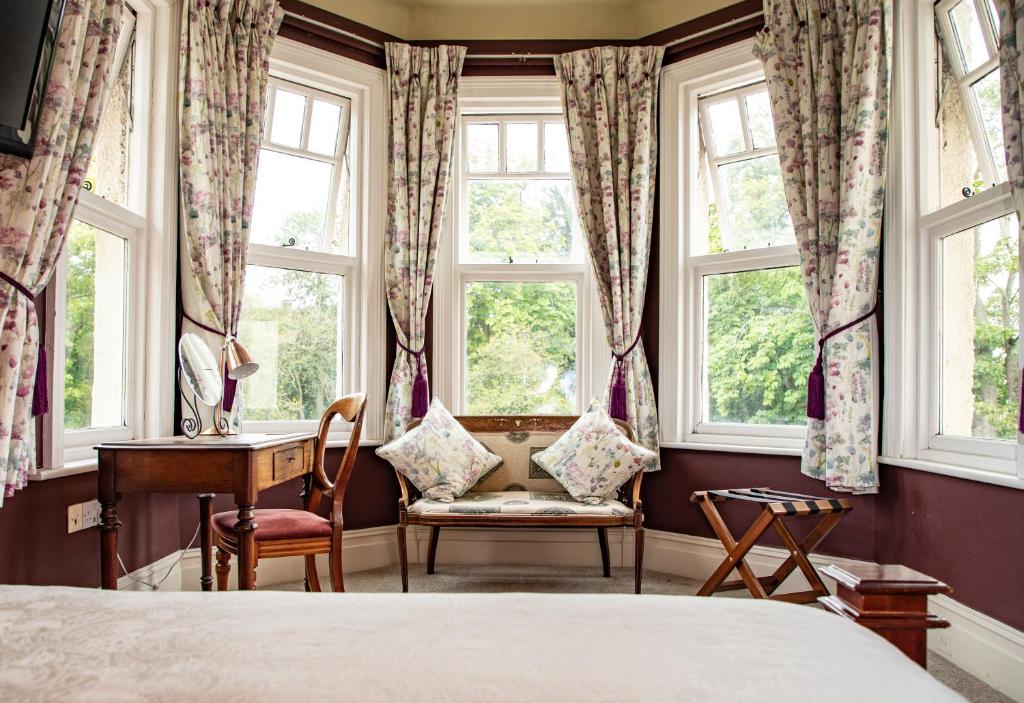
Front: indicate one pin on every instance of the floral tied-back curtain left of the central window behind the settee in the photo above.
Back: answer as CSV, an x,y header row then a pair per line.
x,y
423,85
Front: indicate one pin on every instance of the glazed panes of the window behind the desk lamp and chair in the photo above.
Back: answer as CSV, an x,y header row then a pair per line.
x,y
294,315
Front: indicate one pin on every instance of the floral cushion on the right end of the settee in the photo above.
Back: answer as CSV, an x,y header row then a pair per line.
x,y
594,458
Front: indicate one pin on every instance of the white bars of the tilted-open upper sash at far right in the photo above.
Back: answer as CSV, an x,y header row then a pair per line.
x,y
966,79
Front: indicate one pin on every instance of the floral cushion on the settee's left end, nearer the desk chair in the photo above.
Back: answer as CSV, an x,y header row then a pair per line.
x,y
440,457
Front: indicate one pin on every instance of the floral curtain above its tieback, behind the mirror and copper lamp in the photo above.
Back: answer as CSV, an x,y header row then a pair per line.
x,y
224,71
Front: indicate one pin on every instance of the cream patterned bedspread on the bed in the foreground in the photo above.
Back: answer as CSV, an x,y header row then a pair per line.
x,y
83,645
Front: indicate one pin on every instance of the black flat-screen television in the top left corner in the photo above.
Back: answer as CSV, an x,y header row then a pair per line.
x,y
28,35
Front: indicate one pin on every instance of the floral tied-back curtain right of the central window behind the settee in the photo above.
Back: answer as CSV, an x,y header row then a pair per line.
x,y
610,96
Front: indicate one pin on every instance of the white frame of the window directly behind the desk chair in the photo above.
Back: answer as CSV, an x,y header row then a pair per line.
x,y
326,76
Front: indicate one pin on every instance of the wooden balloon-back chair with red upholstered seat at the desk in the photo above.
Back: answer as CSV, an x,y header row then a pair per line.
x,y
303,533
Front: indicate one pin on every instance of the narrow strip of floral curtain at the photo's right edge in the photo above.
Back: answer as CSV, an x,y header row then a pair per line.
x,y
1012,78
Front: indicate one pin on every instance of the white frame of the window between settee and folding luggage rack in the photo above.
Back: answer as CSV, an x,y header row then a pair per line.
x,y
684,266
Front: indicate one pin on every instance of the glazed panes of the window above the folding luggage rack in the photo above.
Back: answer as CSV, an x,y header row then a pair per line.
x,y
757,339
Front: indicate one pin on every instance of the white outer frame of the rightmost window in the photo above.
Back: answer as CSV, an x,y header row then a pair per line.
x,y
914,230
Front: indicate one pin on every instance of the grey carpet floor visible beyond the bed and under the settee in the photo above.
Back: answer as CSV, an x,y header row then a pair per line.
x,y
499,579
